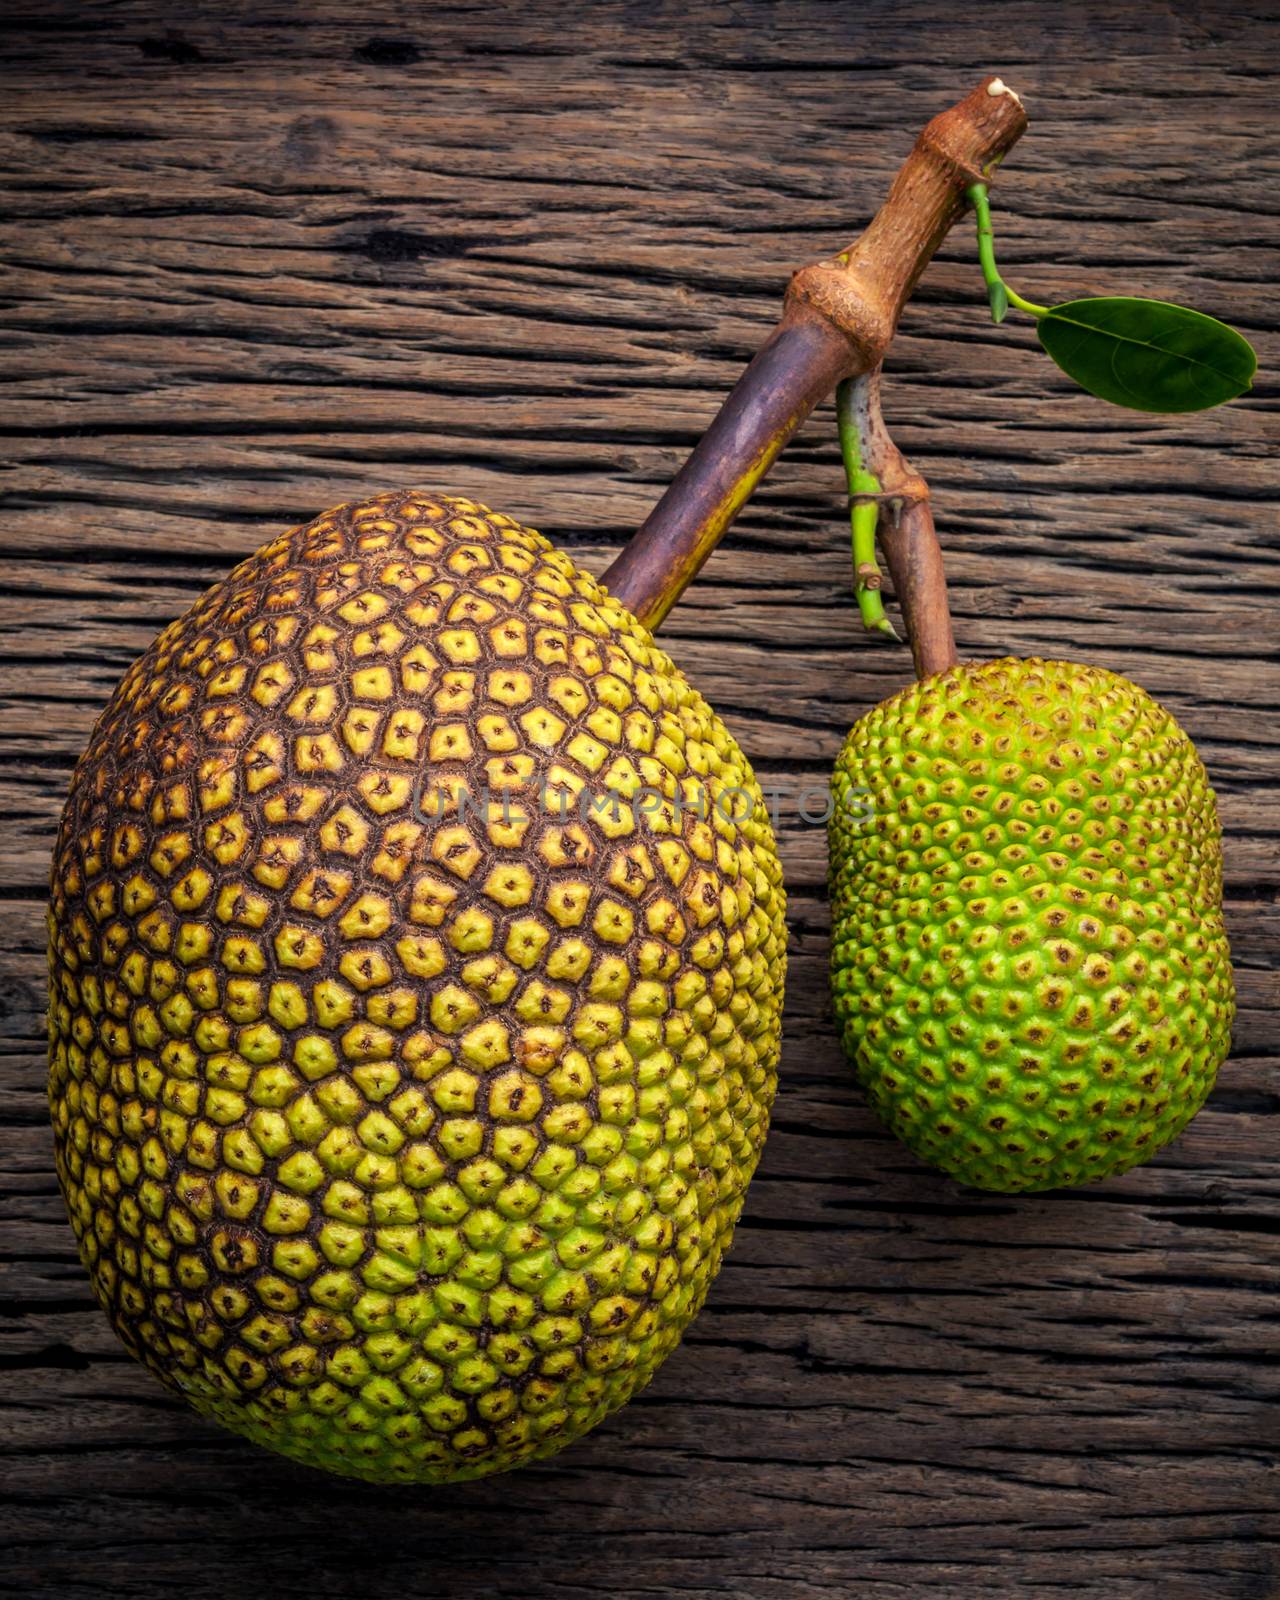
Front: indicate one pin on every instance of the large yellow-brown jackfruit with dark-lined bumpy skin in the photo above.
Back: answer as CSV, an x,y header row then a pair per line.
x,y
399,1140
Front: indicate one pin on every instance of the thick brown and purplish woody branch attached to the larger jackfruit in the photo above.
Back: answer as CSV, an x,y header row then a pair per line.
x,y
838,322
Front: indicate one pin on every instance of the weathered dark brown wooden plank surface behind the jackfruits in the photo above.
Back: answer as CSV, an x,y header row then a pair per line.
x,y
263,258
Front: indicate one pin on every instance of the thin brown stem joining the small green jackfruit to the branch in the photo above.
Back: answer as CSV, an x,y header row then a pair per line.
x,y
908,537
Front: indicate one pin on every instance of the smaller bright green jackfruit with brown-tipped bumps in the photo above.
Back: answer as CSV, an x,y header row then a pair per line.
x,y
1030,967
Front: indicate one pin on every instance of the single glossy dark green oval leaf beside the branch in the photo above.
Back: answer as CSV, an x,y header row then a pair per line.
x,y
1146,354
